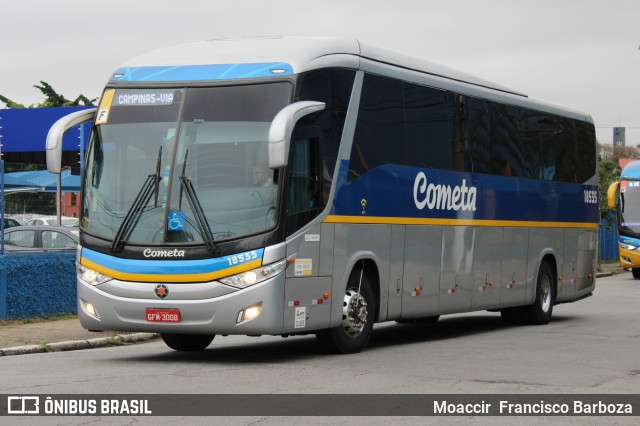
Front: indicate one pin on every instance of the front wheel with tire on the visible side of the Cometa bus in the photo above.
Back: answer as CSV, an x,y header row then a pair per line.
x,y
358,315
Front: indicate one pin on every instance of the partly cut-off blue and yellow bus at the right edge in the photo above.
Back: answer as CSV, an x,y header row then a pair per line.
x,y
624,197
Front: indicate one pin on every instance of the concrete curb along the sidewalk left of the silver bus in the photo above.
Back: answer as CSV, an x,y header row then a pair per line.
x,y
72,345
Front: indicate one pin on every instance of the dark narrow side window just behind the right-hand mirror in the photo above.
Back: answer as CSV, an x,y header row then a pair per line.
x,y
304,196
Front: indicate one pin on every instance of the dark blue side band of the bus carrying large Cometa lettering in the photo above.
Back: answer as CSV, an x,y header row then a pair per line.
x,y
411,192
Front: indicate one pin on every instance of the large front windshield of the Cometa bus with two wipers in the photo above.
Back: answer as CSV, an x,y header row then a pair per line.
x,y
175,165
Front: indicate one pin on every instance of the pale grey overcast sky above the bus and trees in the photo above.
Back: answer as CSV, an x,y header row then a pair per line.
x,y
583,54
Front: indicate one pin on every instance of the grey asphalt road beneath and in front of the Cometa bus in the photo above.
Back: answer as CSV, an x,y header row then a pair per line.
x,y
590,347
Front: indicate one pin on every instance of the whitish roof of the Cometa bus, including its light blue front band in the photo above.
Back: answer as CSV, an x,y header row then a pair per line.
x,y
255,57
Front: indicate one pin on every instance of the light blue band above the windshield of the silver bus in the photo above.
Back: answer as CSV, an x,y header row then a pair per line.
x,y
202,72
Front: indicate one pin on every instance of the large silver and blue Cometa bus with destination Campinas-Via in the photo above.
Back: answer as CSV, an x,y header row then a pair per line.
x,y
292,186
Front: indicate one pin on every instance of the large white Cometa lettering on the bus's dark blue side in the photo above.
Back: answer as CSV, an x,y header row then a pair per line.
x,y
443,197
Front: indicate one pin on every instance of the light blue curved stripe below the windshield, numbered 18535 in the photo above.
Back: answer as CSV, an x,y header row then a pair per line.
x,y
168,267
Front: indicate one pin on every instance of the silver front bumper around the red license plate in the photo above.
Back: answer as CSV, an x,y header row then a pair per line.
x,y
215,314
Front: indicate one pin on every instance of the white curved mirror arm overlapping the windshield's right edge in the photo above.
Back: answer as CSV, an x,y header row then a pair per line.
x,y
282,128
